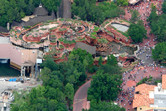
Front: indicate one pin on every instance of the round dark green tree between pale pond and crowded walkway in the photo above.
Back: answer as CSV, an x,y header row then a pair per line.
x,y
137,32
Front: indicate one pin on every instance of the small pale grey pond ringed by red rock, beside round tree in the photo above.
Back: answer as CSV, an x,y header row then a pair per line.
x,y
120,27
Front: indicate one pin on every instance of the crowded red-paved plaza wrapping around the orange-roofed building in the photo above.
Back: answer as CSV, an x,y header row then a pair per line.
x,y
139,72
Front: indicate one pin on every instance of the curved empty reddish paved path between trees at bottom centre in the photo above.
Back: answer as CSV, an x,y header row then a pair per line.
x,y
80,97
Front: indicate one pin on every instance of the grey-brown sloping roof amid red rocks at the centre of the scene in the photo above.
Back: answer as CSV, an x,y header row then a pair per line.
x,y
88,48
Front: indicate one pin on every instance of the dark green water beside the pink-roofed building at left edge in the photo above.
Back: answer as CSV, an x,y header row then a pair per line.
x,y
6,70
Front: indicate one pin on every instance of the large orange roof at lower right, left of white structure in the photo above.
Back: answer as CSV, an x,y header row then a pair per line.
x,y
141,96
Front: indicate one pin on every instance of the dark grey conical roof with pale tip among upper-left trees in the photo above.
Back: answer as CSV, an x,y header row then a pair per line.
x,y
40,11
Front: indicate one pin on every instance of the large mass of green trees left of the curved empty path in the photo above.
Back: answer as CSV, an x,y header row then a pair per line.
x,y
60,81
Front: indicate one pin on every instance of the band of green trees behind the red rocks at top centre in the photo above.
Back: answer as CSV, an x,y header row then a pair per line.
x,y
88,10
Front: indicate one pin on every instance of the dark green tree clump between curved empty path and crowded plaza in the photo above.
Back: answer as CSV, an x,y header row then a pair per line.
x,y
105,85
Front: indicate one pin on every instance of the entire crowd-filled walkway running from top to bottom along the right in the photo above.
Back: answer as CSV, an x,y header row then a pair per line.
x,y
146,66
